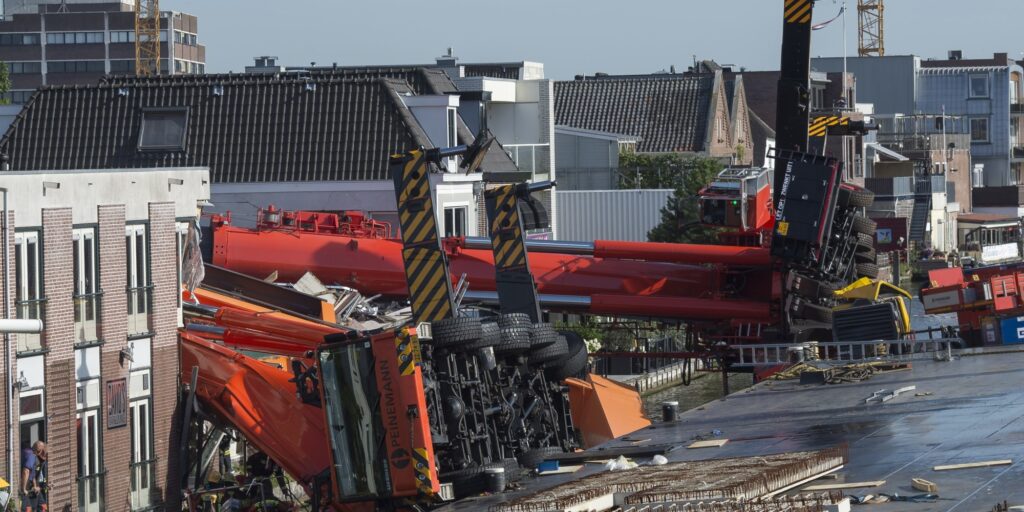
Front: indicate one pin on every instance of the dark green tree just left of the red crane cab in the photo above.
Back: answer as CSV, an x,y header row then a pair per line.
x,y
680,223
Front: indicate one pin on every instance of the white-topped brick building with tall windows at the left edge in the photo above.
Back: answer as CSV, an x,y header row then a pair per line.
x,y
96,255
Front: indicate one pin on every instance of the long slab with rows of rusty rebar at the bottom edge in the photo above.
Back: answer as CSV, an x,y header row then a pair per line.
x,y
680,484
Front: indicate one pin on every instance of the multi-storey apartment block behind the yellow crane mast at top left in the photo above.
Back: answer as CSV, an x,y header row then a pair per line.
x,y
53,42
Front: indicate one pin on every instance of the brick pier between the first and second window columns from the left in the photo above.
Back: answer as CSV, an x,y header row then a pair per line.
x,y
60,373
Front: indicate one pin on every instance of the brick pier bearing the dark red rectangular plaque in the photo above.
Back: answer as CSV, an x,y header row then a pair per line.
x,y
114,332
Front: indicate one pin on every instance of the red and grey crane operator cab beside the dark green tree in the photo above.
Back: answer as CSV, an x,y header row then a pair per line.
x,y
738,199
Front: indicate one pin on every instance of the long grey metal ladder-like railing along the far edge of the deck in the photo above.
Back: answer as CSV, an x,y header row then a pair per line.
x,y
845,352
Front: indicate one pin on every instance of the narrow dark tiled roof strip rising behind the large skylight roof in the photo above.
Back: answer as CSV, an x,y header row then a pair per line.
x,y
423,80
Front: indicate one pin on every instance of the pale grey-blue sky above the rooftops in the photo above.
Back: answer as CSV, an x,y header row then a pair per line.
x,y
578,36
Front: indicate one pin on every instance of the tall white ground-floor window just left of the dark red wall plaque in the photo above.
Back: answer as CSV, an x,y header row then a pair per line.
x,y
91,484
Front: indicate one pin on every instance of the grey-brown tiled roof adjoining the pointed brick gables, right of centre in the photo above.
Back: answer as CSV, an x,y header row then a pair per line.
x,y
669,114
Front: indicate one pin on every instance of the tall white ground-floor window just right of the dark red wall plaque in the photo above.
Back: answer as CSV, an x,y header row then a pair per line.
x,y
143,463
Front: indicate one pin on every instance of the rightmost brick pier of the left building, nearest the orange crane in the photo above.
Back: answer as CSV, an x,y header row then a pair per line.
x,y
165,352
